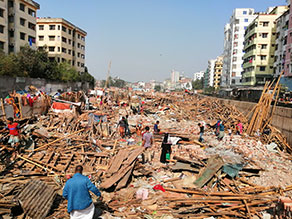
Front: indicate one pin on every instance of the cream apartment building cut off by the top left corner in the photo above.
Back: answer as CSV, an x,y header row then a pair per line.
x,y
17,24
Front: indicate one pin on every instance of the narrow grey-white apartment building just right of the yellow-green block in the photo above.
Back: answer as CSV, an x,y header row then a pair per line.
x,y
282,24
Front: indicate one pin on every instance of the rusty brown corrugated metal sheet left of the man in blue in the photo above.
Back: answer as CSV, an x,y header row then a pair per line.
x,y
36,199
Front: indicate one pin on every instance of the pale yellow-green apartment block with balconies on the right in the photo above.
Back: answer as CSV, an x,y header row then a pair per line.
x,y
260,39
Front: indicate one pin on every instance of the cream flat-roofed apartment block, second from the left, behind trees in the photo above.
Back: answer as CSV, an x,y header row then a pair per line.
x,y
64,41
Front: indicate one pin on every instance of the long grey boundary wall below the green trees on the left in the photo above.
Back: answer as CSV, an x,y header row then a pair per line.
x,y
8,84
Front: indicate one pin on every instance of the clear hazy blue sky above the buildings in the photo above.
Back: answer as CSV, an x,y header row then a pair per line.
x,y
146,39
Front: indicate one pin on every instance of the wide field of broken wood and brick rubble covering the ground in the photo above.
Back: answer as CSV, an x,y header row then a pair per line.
x,y
241,176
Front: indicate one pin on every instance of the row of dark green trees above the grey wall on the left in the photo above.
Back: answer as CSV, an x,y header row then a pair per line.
x,y
36,64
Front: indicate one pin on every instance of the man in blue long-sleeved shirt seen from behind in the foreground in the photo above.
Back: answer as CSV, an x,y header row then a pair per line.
x,y
76,191
